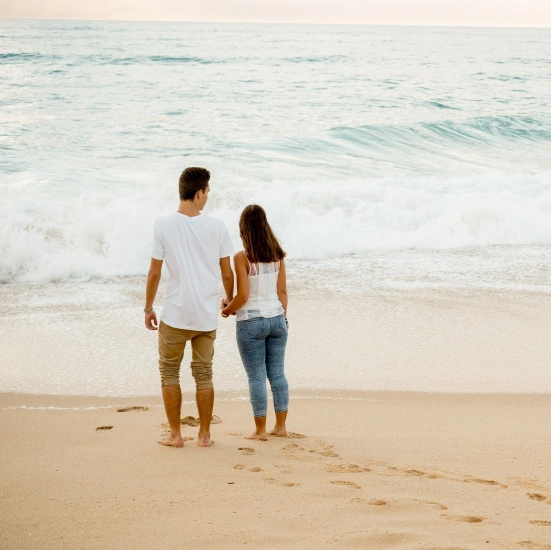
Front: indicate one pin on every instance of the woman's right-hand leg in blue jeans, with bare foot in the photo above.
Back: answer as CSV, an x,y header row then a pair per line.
x,y
275,363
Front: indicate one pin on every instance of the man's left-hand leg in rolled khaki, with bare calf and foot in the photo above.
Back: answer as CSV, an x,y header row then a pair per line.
x,y
172,342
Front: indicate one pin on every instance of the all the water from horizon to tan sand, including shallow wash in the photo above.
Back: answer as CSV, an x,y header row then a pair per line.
x,y
387,159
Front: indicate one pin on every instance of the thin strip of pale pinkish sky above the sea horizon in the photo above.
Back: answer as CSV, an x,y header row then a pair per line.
x,y
500,13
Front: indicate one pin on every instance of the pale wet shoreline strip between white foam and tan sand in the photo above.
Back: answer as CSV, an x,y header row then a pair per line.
x,y
433,342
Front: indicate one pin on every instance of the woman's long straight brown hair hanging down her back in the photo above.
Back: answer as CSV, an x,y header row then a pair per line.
x,y
259,241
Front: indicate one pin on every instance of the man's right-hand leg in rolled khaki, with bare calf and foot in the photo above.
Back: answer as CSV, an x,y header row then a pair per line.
x,y
202,347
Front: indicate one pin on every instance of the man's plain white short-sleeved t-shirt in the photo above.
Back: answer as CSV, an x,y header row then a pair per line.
x,y
191,248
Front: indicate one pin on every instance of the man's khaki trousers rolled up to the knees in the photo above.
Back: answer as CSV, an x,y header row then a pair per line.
x,y
172,342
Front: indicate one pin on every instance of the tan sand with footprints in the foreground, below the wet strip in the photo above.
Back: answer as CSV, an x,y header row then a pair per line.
x,y
364,470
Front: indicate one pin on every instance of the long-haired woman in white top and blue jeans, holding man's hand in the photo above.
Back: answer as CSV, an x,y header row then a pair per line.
x,y
261,308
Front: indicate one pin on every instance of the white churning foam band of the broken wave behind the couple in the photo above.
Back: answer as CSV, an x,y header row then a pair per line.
x,y
106,236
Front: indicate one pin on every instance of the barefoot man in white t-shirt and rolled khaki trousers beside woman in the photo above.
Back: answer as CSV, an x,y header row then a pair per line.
x,y
194,247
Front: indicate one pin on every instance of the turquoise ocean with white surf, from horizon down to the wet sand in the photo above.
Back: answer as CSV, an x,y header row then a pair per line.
x,y
387,158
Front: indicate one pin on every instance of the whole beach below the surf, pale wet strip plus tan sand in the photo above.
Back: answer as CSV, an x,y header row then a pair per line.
x,y
375,469
